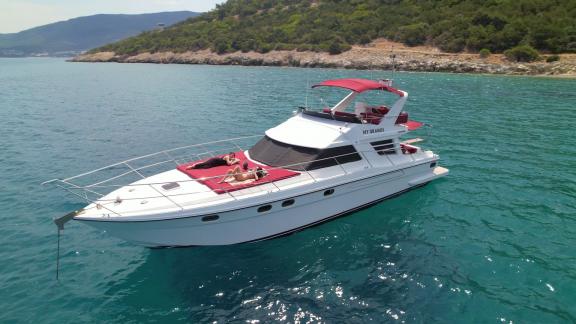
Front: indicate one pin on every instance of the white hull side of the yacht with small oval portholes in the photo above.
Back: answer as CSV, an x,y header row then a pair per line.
x,y
247,224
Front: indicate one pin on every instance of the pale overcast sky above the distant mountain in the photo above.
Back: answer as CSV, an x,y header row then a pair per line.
x,y
18,15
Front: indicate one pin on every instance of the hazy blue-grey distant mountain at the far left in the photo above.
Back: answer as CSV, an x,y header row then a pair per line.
x,y
80,34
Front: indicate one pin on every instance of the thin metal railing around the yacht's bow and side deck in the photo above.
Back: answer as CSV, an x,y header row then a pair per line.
x,y
93,191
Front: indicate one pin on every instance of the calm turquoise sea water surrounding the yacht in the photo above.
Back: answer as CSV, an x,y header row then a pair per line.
x,y
493,242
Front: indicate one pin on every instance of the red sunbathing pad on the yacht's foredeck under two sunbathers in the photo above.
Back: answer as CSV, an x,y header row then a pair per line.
x,y
215,174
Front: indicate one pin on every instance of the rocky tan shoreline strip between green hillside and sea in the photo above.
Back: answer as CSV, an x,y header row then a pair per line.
x,y
376,55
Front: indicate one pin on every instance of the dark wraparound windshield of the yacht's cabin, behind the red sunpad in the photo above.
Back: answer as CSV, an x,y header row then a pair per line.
x,y
278,154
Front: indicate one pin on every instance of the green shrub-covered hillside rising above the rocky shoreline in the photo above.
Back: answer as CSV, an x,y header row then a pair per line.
x,y
333,25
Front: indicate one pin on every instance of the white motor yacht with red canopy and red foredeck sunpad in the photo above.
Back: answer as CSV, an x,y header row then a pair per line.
x,y
319,164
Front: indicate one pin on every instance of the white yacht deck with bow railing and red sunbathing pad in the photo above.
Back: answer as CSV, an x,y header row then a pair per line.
x,y
175,191
